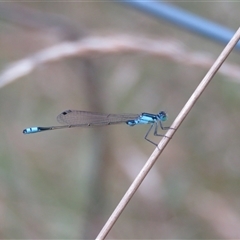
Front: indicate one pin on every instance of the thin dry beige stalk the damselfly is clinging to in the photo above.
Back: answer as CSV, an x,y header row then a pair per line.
x,y
163,143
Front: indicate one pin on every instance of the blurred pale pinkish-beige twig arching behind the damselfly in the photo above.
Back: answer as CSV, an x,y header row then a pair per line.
x,y
88,46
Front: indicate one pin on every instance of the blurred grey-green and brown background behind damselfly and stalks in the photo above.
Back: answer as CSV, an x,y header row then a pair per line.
x,y
66,183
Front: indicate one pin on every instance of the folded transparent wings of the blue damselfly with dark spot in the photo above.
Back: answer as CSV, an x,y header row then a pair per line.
x,y
84,118
